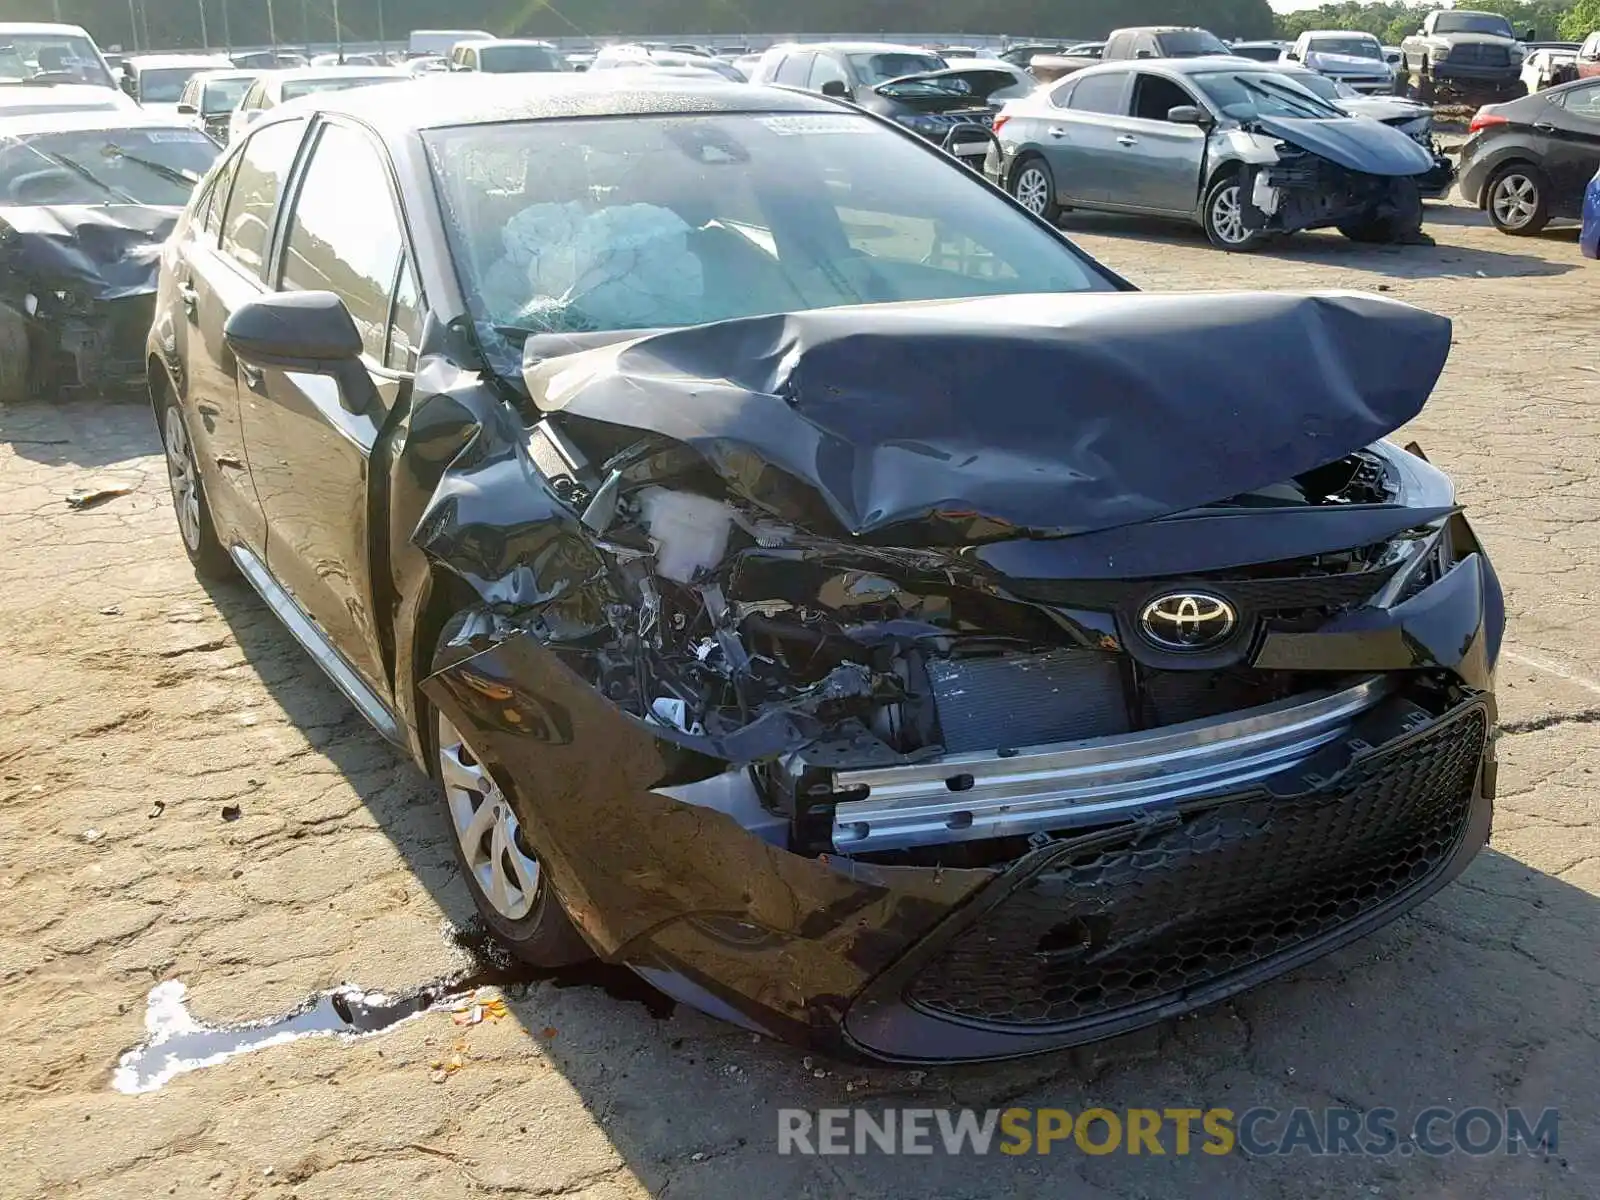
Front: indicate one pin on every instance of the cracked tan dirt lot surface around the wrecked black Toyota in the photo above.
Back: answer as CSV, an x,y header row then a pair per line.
x,y
137,708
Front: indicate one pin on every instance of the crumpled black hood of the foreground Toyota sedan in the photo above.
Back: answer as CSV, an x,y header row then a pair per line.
x,y
986,418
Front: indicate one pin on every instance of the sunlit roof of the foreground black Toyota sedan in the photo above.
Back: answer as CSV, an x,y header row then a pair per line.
x,y
476,98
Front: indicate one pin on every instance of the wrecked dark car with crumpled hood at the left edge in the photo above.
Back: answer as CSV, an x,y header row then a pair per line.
x,y
87,199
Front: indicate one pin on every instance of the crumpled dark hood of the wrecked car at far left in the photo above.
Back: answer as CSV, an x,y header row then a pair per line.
x,y
100,252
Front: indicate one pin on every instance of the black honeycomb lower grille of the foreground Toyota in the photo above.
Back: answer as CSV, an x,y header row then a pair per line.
x,y
1226,889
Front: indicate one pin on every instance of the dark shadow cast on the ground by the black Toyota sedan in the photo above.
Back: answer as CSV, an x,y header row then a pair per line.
x,y
1484,998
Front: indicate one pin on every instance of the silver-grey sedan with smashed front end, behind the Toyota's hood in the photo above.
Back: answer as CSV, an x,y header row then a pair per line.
x,y
1238,148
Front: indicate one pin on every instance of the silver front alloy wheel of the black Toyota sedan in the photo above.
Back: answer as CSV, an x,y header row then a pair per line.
x,y
492,842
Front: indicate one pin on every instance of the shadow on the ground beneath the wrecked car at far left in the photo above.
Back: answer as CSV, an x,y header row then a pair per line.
x,y
82,431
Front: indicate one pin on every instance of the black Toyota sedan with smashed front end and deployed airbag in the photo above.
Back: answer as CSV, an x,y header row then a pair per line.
x,y
815,583
